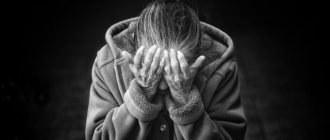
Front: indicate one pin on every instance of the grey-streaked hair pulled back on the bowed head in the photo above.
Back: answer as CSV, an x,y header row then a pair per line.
x,y
169,24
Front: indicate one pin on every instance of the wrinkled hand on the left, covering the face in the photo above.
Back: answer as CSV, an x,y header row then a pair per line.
x,y
149,72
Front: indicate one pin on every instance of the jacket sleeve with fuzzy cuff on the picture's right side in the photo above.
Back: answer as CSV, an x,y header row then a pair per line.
x,y
219,117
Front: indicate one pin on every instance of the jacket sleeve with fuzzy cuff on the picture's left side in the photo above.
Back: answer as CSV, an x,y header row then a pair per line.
x,y
110,118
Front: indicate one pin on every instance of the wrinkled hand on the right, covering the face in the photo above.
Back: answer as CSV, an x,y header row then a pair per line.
x,y
178,75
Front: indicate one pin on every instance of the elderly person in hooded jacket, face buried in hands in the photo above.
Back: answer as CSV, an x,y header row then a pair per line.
x,y
165,75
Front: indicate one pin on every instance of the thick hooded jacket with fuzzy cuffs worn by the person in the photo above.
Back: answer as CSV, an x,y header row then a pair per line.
x,y
119,110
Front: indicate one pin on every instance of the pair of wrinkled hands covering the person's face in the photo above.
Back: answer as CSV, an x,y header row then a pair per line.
x,y
178,75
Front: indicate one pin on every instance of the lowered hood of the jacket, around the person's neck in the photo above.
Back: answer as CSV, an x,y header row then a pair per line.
x,y
216,45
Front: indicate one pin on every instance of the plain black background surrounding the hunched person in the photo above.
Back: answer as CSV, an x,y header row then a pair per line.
x,y
49,48
